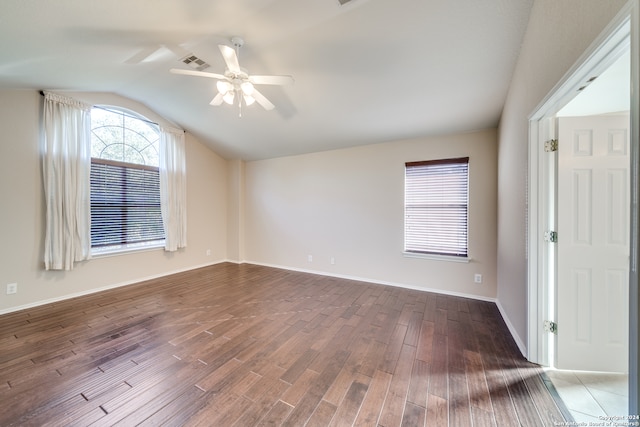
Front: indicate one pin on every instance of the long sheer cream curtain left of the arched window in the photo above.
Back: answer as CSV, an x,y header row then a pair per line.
x,y
66,169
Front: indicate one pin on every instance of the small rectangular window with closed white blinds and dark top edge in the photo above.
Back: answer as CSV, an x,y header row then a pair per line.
x,y
436,207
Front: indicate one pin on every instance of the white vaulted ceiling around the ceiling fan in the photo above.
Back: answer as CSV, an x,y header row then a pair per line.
x,y
366,72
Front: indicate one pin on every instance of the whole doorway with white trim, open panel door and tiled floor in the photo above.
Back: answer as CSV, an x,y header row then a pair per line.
x,y
582,235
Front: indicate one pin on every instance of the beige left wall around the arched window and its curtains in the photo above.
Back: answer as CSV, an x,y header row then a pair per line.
x,y
22,214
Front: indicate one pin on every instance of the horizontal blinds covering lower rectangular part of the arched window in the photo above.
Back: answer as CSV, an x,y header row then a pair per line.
x,y
125,204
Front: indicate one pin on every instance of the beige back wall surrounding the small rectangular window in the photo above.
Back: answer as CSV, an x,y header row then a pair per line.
x,y
348,204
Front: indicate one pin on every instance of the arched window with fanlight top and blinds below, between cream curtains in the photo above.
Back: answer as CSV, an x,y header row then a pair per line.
x,y
125,184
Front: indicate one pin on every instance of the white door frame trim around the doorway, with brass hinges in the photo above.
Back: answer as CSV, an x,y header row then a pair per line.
x,y
621,33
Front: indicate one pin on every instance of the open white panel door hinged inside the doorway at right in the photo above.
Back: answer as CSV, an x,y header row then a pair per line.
x,y
593,243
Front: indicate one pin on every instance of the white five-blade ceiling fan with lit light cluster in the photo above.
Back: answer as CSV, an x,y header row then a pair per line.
x,y
236,84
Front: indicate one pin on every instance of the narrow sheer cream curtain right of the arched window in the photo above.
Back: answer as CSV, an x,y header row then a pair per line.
x,y
173,188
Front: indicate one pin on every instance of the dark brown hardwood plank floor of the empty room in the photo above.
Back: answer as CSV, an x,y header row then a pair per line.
x,y
248,345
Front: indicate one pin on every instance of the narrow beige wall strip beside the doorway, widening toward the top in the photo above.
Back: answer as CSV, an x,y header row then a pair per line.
x,y
557,34
